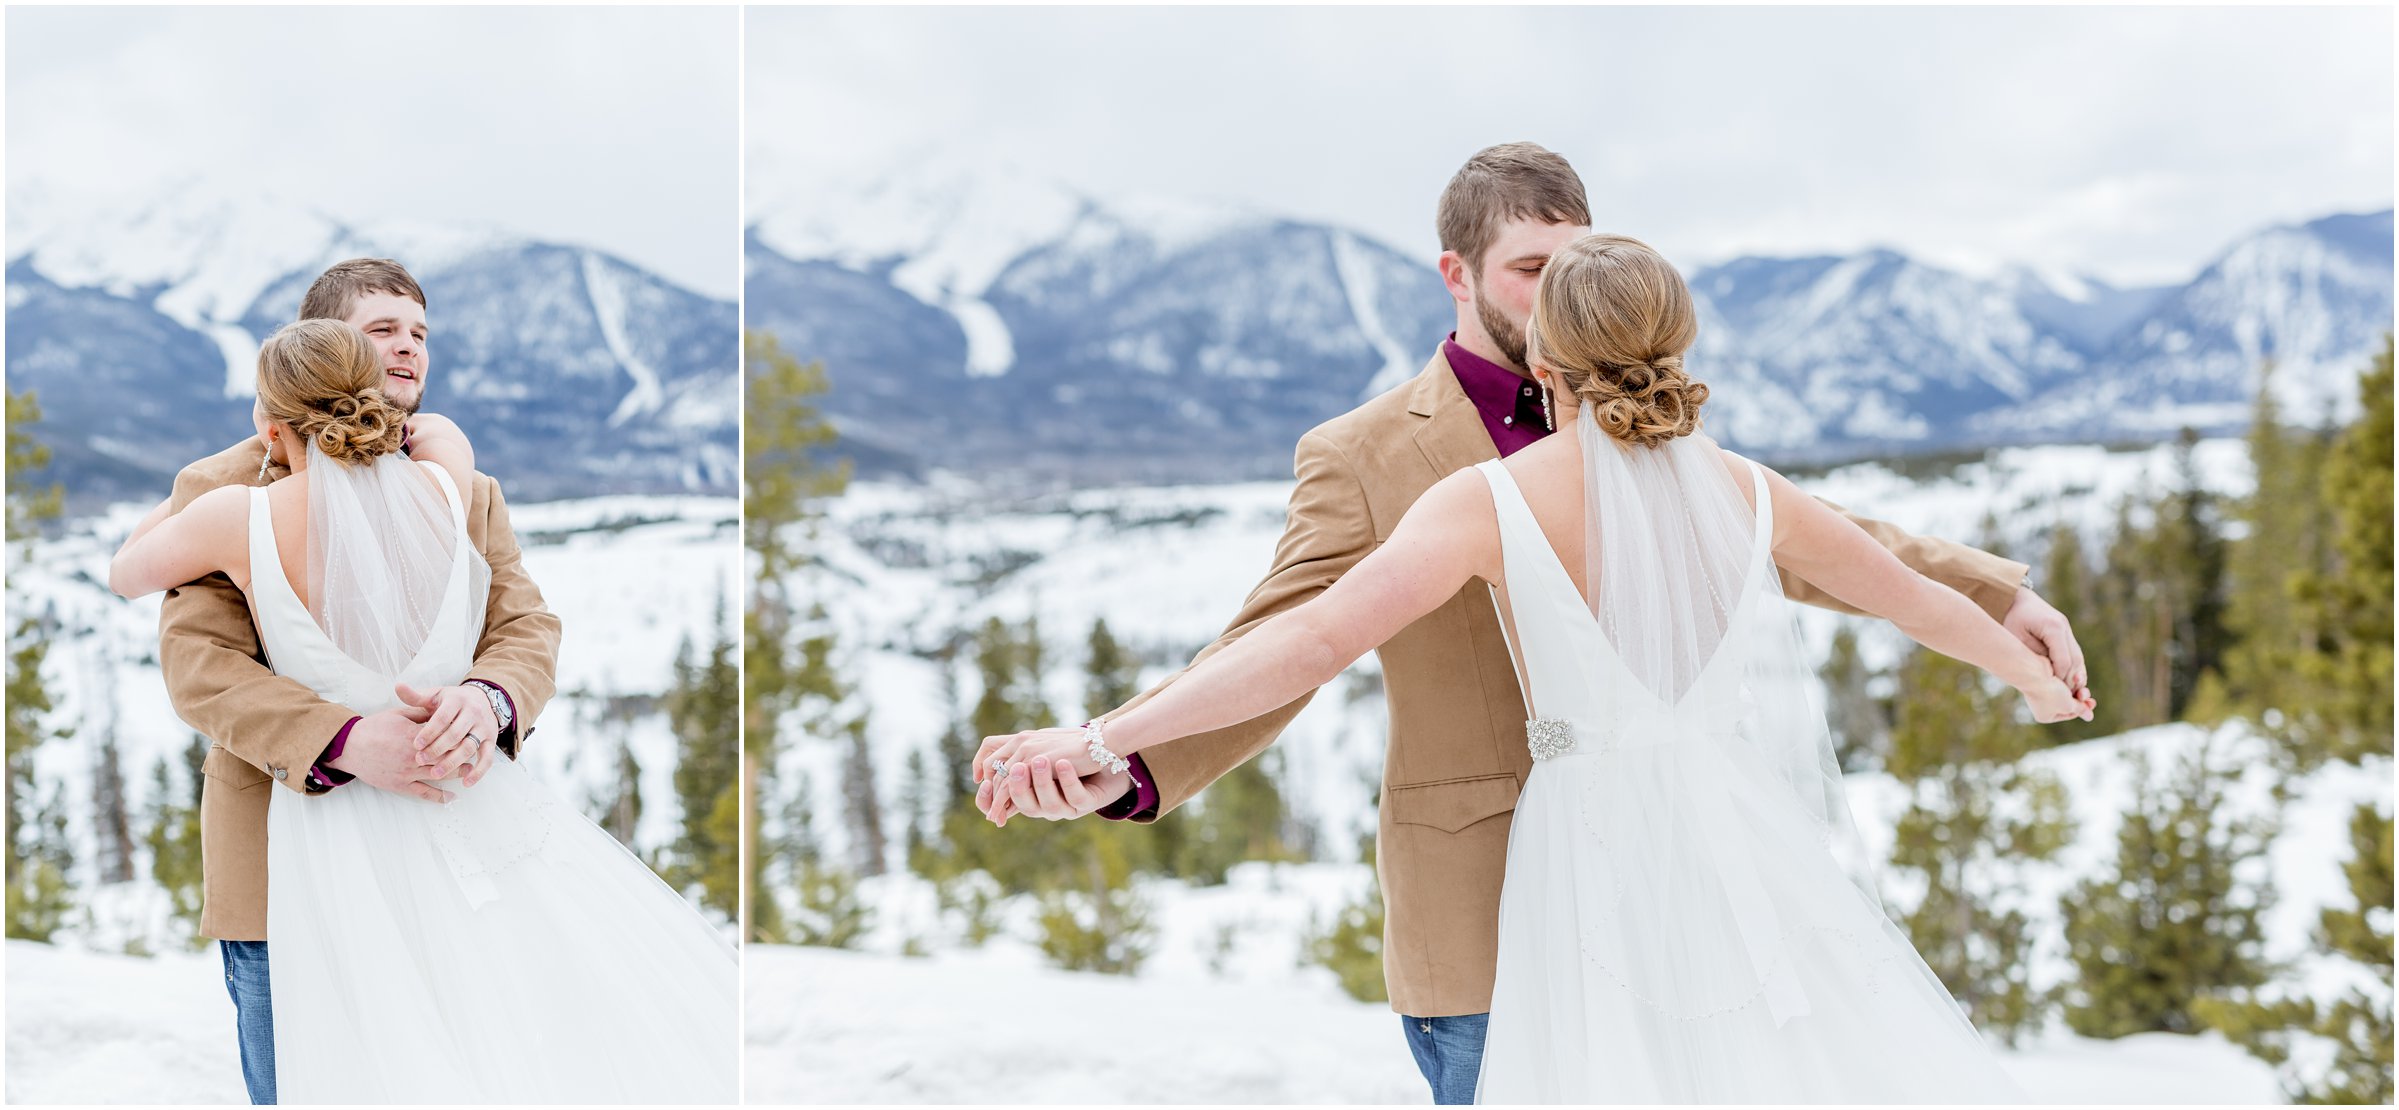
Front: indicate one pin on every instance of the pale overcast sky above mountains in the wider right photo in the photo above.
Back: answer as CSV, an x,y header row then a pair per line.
x,y
2124,143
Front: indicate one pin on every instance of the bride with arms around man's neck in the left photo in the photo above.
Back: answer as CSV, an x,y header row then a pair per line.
x,y
476,941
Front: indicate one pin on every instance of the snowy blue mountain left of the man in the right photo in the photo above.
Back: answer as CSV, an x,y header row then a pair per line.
x,y
1045,330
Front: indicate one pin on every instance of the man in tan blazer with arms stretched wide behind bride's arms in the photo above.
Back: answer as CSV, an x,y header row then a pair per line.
x,y
1457,752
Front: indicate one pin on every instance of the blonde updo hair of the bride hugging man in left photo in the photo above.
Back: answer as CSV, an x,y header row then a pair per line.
x,y
323,380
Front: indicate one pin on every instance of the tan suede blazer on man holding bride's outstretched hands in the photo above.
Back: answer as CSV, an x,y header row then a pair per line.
x,y
1457,747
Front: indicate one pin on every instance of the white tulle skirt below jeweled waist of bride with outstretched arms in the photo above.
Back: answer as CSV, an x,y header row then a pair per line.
x,y
1676,931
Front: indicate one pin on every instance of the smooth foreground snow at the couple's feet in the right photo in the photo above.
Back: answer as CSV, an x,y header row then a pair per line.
x,y
978,1027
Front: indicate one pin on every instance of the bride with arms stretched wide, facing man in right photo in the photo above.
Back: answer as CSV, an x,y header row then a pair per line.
x,y
1688,915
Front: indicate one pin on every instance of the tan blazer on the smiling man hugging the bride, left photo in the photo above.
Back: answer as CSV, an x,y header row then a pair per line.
x,y
270,730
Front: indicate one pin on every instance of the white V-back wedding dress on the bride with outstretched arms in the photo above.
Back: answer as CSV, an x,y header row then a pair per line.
x,y
1688,915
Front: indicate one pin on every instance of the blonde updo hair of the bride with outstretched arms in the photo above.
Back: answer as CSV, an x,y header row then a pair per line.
x,y
1613,322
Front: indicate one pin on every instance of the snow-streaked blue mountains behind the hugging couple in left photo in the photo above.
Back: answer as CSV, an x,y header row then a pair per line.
x,y
138,325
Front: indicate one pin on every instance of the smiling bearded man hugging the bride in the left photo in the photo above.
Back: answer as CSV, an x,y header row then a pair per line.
x,y
275,732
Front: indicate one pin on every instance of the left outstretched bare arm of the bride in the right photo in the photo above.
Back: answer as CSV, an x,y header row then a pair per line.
x,y
1445,541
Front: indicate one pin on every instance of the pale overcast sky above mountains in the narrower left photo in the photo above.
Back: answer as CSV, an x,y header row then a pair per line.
x,y
613,128
